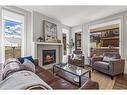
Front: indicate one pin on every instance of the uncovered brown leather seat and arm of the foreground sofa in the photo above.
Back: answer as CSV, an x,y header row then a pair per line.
x,y
58,83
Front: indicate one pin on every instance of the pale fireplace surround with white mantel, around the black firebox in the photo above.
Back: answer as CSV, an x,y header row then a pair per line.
x,y
40,46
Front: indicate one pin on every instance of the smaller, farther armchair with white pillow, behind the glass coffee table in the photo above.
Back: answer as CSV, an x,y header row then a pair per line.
x,y
76,58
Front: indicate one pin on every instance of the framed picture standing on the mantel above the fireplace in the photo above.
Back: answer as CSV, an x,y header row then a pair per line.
x,y
50,31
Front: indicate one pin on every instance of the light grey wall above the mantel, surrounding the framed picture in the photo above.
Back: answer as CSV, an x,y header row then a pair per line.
x,y
38,25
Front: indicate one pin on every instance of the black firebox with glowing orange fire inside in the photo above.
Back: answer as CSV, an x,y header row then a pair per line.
x,y
49,56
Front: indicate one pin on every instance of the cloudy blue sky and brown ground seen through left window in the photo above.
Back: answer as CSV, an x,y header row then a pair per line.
x,y
12,38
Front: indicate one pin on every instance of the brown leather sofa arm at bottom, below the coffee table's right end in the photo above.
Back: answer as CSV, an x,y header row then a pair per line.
x,y
90,85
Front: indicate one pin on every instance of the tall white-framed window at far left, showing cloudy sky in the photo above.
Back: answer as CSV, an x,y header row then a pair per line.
x,y
12,34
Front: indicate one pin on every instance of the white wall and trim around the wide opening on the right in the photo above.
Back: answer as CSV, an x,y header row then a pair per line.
x,y
123,17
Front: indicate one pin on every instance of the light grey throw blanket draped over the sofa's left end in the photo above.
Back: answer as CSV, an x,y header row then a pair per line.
x,y
18,76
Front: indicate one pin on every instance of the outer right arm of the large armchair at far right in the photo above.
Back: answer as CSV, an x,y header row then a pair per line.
x,y
117,66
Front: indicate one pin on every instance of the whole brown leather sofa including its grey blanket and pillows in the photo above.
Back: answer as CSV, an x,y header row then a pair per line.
x,y
30,76
